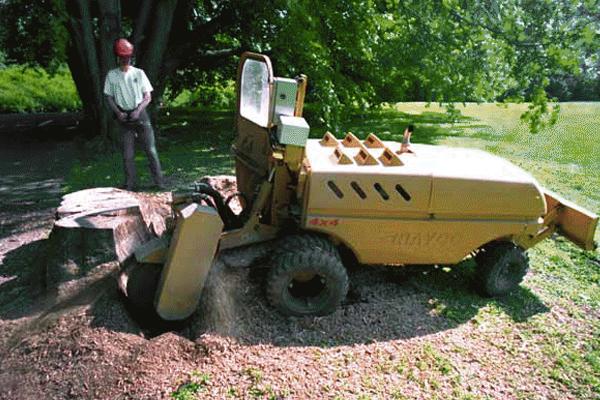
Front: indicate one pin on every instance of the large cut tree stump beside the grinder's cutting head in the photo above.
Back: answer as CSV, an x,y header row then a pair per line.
x,y
101,227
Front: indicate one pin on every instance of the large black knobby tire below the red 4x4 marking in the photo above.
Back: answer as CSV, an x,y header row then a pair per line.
x,y
312,267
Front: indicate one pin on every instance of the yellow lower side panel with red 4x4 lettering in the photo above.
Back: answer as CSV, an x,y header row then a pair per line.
x,y
426,241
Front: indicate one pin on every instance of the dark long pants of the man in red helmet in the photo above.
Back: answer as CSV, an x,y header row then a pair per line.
x,y
142,128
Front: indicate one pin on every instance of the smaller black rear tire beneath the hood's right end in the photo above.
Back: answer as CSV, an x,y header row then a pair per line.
x,y
501,267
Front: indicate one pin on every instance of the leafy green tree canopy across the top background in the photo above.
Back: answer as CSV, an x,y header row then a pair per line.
x,y
357,53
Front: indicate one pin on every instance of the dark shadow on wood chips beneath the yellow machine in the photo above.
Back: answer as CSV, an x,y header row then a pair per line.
x,y
384,303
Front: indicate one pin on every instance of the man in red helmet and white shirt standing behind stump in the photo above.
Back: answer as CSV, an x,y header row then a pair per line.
x,y
127,90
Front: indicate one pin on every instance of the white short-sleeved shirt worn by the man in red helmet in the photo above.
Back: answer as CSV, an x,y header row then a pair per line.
x,y
127,88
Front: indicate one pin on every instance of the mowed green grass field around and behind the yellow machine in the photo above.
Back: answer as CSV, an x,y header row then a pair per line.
x,y
541,342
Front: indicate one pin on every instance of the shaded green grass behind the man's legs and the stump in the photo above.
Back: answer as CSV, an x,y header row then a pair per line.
x,y
190,144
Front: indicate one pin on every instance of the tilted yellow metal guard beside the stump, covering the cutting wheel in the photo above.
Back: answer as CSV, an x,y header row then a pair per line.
x,y
190,257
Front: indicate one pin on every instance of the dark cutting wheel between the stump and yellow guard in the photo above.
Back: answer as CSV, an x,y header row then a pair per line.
x,y
142,283
